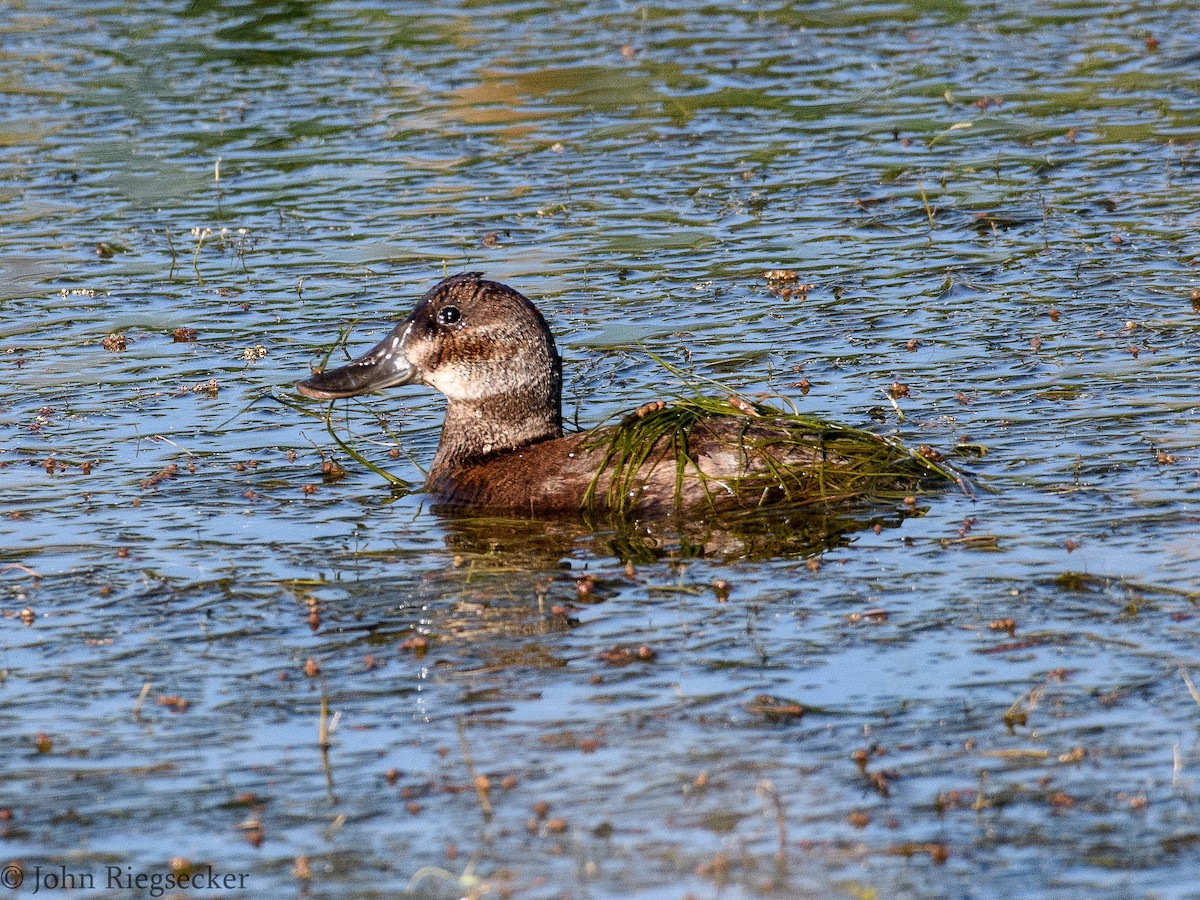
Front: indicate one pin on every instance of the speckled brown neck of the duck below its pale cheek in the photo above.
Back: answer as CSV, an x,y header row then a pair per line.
x,y
476,430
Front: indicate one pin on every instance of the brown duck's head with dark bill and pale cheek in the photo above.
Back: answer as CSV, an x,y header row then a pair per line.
x,y
479,343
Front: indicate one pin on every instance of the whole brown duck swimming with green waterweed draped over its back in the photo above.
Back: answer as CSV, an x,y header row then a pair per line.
x,y
489,351
